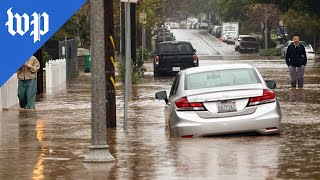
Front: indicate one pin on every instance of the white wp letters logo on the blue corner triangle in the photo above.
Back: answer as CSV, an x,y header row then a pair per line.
x,y
39,24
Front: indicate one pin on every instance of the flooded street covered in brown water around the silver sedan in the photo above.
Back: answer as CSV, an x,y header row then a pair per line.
x,y
62,123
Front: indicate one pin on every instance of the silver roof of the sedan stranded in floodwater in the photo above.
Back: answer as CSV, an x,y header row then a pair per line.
x,y
217,67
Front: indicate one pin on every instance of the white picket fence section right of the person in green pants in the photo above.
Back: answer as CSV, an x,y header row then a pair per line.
x,y
55,74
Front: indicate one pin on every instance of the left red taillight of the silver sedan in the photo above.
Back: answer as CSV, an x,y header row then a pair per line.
x,y
183,104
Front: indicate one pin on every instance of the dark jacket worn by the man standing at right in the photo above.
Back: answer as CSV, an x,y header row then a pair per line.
x,y
296,55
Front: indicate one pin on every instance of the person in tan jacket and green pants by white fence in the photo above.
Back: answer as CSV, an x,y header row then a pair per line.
x,y
27,84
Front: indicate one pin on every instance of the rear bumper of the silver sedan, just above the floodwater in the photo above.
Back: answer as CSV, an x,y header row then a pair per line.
x,y
265,120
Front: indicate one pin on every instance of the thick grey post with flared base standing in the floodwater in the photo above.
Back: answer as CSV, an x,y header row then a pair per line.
x,y
99,150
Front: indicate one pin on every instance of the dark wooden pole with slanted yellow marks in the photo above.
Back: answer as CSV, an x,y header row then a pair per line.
x,y
110,64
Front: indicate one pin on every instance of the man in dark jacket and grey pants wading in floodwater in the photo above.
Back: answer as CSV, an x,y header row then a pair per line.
x,y
296,60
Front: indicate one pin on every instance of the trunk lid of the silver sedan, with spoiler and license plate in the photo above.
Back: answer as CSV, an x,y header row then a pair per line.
x,y
225,101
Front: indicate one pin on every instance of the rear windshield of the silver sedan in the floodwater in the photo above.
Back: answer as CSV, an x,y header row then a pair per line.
x,y
219,78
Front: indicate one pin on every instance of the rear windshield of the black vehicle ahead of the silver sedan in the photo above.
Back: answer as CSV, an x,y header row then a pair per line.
x,y
175,48
